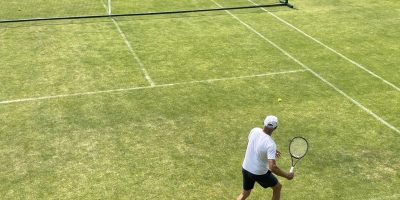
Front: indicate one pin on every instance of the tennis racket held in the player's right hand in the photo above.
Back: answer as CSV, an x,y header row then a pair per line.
x,y
298,148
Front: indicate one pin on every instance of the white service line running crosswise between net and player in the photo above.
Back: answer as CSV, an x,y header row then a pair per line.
x,y
144,87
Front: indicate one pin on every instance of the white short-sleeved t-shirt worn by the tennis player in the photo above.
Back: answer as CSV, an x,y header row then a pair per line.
x,y
260,149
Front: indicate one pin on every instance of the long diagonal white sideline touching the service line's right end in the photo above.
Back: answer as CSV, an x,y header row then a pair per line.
x,y
312,71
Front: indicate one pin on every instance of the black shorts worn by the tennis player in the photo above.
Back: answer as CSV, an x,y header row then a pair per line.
x,y
265,180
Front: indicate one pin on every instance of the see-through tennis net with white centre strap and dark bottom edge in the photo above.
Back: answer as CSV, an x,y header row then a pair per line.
x,y
35,10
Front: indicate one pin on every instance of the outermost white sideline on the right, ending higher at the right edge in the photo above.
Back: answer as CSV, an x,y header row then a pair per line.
x,y
329,48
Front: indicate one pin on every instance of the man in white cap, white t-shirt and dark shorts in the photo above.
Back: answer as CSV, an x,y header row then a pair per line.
x,y
259,163
